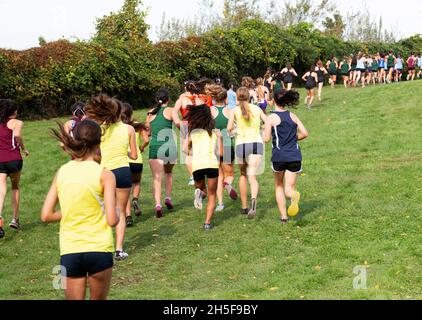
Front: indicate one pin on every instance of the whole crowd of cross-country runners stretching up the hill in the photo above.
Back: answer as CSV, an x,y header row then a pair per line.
x,y
219,130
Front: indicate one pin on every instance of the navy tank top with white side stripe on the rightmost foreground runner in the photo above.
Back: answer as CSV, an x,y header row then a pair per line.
x,y
285,146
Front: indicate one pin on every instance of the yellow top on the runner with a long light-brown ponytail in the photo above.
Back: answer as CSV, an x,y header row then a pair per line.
x,y
248,131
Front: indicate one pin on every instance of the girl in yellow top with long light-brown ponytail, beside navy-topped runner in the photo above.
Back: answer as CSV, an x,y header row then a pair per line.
x,y
249,147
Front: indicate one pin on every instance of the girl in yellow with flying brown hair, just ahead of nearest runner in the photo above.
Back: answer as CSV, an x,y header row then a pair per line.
x,y
117,139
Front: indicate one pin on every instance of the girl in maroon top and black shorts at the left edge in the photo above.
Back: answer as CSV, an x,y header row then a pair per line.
x,y
11,144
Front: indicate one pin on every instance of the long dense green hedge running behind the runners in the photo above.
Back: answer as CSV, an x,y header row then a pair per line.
x,y
45,81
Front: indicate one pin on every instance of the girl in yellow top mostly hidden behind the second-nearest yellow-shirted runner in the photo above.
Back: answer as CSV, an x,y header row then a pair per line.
x,y
136,166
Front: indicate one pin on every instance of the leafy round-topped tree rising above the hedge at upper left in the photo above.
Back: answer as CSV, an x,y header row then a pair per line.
x,y
127,25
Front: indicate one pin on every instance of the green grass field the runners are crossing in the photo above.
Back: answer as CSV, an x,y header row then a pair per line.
x,y
362,204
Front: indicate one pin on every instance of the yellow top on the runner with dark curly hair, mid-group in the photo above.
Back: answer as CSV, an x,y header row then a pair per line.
x,y
203,150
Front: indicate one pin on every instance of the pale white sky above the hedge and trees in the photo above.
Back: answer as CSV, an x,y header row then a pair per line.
x,y
23,21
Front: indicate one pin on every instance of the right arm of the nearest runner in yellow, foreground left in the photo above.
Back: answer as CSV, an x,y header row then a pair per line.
x,y
108,182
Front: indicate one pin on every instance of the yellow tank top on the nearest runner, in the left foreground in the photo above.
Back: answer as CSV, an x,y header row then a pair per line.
x,y
84,226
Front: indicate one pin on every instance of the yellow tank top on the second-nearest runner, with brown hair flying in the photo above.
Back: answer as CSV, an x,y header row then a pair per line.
x,y
114,146
